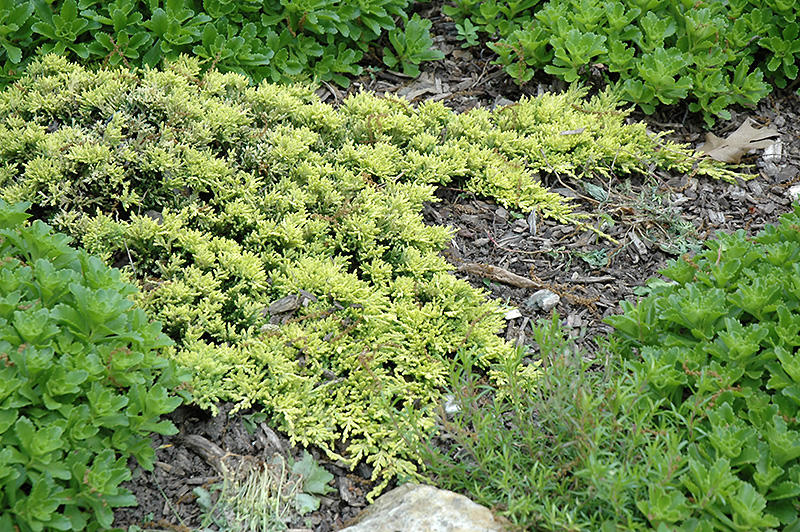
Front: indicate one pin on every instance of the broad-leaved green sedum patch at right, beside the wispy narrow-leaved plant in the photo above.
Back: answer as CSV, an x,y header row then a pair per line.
x,y
719,346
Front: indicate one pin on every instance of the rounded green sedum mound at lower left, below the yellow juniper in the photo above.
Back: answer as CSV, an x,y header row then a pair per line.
x,y
82,382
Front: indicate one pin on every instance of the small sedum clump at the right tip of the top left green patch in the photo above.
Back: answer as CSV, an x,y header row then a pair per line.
x,y
411,46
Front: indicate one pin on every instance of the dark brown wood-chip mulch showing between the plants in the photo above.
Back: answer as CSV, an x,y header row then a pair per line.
x,y
646,220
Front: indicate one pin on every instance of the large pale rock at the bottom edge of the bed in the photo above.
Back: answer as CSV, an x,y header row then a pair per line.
x,y
421,508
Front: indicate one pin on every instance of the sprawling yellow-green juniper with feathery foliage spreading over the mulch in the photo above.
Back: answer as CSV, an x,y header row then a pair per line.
x,y
220,198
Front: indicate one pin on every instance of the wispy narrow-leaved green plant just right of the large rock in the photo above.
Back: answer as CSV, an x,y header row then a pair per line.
x,y
559,444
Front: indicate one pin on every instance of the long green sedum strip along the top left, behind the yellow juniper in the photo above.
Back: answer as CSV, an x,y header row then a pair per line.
x,y
280,40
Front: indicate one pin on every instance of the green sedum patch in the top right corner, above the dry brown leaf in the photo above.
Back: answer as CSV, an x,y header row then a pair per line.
x,y
713,53
